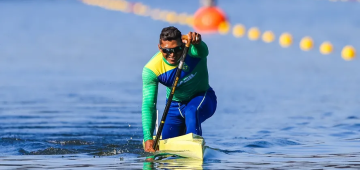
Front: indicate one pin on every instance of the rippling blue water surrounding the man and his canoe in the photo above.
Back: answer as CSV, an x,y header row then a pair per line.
x,y
70,87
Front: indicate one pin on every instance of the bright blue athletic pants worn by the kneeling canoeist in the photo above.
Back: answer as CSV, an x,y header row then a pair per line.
x,y
184,118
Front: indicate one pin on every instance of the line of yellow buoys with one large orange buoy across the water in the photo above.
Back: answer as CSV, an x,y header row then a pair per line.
x,y
217,23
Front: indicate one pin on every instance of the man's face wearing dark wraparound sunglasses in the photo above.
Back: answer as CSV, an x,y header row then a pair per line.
x,y
171,50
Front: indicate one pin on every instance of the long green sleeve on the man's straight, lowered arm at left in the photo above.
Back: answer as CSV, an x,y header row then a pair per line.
x,y
148,111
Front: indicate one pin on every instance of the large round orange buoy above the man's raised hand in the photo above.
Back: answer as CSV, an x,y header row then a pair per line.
x,y
208,19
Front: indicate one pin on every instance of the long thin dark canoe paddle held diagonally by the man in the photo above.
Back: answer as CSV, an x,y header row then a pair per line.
x,y
177,75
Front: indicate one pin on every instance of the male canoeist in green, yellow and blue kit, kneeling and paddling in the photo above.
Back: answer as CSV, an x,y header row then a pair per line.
x,y
194,100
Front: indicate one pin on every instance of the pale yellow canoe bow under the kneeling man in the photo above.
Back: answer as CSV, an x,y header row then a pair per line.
x,y
189,146
